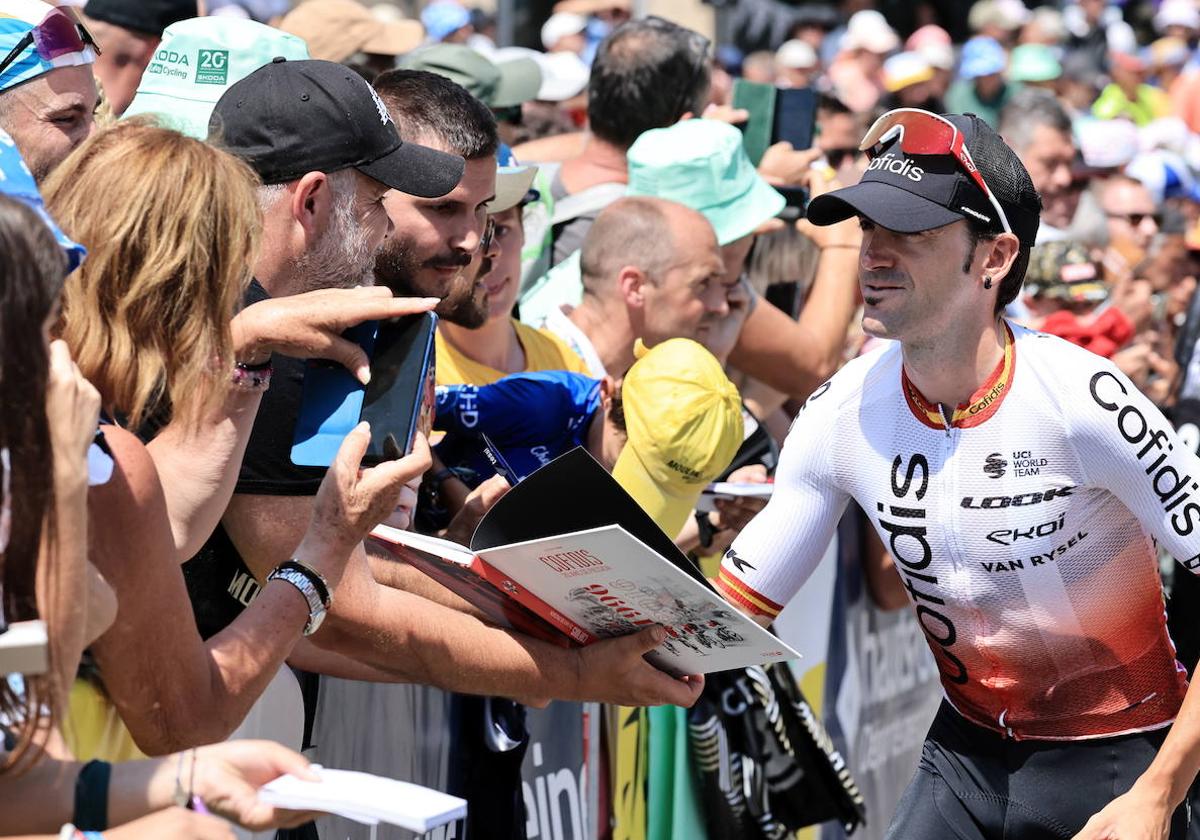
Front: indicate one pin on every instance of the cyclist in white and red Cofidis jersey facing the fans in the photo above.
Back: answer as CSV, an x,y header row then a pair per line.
x,y
1019,483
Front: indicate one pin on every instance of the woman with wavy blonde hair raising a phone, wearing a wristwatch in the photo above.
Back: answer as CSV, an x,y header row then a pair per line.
x,y
172,227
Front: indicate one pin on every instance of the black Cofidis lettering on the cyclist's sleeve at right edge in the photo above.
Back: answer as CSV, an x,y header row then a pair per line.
x,y
1169,487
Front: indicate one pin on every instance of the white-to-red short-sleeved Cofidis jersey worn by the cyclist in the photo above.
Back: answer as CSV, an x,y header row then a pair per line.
x,y
1023,527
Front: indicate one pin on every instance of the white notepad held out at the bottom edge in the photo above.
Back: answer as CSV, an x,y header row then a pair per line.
x,y
365,799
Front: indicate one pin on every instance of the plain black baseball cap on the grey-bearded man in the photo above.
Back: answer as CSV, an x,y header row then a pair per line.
x,y
291,118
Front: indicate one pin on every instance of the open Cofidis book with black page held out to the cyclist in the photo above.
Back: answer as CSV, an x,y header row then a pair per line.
x,y
571,557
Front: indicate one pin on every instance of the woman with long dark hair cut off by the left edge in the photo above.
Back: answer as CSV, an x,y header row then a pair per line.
x,y
47,427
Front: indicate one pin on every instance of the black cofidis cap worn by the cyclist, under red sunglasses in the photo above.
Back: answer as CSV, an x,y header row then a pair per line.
x,y
910,194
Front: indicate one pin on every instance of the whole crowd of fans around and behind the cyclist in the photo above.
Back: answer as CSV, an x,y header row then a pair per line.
x,y
196,200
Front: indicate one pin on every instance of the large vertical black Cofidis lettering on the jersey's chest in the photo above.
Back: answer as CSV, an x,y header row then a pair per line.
x,y
909,544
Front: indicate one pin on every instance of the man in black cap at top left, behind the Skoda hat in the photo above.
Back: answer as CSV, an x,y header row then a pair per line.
x,y
129,33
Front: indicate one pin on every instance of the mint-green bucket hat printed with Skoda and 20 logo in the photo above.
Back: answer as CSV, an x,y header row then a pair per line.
x,y
199,61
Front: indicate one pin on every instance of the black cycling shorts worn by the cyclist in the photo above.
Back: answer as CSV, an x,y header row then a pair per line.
x,y
974,784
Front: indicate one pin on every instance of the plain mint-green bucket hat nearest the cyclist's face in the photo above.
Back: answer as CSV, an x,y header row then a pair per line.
x,y
703,165
